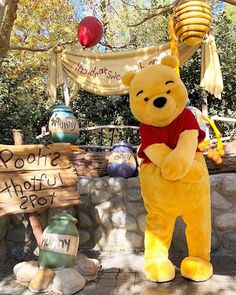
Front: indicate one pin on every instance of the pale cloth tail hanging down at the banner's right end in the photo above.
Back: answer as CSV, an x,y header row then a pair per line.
x,y
211,76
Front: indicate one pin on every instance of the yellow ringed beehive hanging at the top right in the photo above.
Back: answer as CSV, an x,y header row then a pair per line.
x,y
192,20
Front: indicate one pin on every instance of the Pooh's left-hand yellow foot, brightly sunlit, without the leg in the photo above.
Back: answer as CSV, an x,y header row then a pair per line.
x,y
159,270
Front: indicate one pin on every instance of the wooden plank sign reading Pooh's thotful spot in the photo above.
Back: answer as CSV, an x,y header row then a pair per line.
x,y
36,176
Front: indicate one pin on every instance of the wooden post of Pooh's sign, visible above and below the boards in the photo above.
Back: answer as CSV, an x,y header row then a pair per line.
x,y
18,138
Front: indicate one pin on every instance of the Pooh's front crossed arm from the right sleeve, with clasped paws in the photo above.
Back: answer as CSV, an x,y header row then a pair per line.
x,y
180,163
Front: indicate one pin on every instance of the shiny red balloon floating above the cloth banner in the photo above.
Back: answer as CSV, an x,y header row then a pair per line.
x,y
90,31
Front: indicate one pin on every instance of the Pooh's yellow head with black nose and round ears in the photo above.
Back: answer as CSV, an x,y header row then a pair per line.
x,y
157,94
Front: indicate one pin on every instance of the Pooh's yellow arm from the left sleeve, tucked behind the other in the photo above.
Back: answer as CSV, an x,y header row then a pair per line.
x,y
157,153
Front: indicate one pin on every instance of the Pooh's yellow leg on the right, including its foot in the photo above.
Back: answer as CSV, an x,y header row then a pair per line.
x,y
197,266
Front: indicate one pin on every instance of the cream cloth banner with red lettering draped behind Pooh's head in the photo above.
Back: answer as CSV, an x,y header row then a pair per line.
x,y
100,73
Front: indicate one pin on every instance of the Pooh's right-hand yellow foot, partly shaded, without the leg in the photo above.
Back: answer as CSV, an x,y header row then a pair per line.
x,y
196,269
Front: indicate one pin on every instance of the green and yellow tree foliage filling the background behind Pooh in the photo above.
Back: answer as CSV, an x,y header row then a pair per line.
x,y
24,102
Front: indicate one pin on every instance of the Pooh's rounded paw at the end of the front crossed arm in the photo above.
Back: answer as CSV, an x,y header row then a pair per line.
x,y
175,166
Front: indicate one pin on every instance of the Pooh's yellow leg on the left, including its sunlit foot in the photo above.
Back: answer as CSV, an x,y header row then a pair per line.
x,y
158,235
